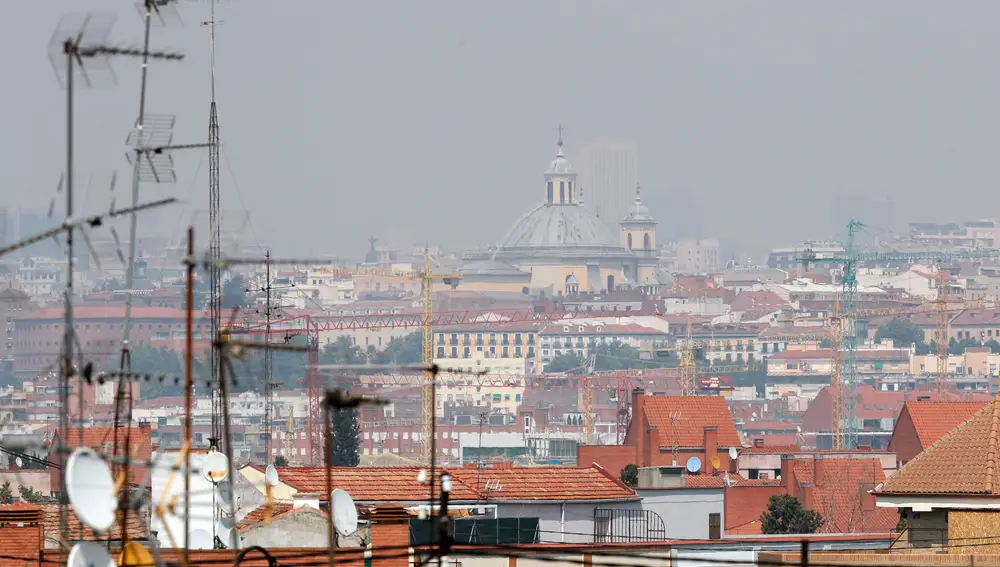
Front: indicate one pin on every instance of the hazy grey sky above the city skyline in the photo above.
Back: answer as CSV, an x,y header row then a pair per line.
x,y
435,119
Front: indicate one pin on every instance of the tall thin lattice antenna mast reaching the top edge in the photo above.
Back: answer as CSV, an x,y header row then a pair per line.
x,y
215,247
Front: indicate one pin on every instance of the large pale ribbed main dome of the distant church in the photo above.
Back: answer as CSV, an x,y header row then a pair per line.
x,y
561,226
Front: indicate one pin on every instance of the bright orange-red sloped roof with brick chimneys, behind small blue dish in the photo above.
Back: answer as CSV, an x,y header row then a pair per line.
x,y
684,418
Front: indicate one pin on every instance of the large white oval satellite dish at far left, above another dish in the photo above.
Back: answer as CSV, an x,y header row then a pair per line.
x,y
91,489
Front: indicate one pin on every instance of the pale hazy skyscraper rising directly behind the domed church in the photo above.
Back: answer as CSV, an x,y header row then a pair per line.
x,y
608,177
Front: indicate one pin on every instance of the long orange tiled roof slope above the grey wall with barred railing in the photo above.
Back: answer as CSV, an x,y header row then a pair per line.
x,y
546,483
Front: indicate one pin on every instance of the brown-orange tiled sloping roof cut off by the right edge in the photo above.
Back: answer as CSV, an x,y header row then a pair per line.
x,y
961,462
